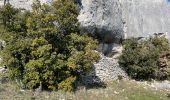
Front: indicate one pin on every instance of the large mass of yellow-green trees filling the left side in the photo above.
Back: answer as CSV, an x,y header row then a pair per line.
x,y
44,47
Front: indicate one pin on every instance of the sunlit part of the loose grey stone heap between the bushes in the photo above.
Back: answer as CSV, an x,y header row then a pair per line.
x,y
108,69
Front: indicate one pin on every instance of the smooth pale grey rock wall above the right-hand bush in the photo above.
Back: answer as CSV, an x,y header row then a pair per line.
x,y
145,17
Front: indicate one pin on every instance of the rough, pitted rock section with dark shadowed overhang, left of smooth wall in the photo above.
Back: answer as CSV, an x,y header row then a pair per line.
x,y
102,18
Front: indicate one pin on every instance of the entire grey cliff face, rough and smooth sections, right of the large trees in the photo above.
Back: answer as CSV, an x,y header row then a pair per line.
x,y
125,18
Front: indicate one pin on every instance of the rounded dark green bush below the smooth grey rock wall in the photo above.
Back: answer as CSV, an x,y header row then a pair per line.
x,y
143,59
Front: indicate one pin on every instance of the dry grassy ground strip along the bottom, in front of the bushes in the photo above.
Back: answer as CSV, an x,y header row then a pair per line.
x,y
122,90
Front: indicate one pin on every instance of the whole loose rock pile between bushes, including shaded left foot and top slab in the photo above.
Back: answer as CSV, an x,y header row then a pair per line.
x,y
106,69
